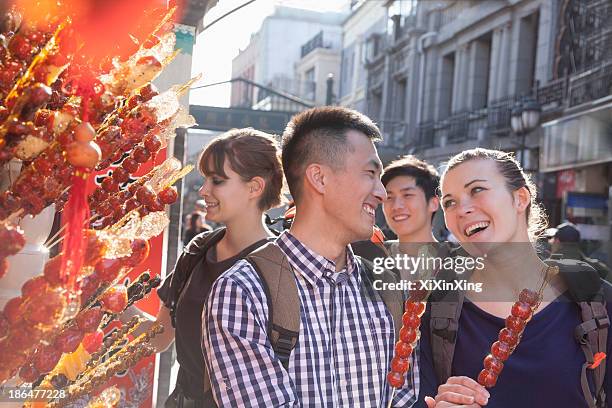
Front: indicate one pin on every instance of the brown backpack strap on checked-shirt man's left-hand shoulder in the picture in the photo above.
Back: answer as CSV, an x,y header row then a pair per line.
x,y
278,280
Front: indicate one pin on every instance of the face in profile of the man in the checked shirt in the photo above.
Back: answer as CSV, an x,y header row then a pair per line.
x,y
354,191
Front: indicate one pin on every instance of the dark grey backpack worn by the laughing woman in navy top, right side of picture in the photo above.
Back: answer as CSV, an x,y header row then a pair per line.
x,y
586,289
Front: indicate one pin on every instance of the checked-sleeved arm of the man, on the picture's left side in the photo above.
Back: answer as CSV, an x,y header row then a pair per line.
x,y
243,369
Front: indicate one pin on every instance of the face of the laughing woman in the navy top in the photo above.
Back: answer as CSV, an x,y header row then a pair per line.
x,y
479,208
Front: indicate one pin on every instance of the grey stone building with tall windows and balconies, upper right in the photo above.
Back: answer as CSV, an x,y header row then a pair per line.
x,y
444,76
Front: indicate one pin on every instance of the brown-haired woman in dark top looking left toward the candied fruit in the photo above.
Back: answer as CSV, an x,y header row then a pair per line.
x,y
242,178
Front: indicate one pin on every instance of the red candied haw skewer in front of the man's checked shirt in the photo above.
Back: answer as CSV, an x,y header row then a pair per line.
x,y
409,335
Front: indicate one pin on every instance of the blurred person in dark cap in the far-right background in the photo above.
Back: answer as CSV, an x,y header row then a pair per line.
x,y
565,241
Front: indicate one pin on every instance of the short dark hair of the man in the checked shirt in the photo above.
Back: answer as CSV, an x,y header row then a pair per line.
x,y
318,135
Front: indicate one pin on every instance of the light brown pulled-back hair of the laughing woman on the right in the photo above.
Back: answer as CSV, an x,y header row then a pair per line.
x,y
515,177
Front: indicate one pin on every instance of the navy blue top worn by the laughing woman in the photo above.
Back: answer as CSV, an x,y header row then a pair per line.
x,y
543,371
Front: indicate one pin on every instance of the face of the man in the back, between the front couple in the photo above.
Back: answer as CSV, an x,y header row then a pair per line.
x,y
406,208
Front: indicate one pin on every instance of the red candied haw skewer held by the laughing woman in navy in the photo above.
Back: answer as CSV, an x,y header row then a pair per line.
x,y
510,336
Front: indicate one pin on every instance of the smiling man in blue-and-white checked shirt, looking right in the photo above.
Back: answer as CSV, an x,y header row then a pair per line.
x,y
346,340
